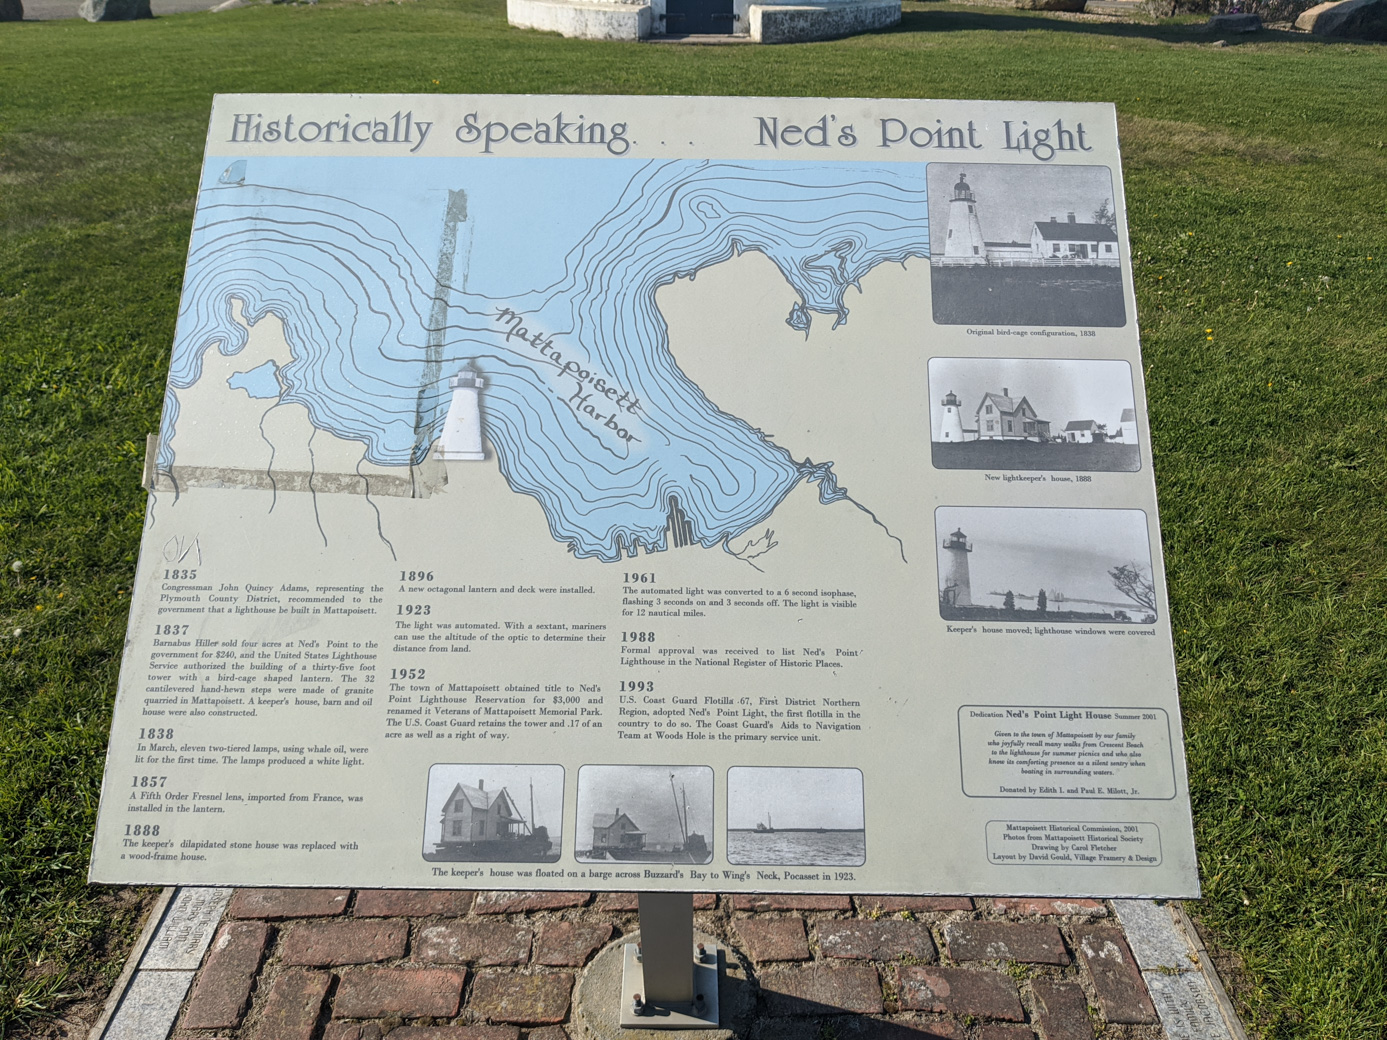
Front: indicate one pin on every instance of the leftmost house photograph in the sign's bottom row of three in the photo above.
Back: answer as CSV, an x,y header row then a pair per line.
x,y
485,813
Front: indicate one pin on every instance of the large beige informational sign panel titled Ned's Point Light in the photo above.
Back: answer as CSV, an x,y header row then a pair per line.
x,y
654,493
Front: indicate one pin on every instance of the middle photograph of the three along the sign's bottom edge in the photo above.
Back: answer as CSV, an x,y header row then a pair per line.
x,y
646,815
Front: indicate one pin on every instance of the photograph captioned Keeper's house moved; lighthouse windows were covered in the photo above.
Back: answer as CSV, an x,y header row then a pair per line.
x,y
1045,566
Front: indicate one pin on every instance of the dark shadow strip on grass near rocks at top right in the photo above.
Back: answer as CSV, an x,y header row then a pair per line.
x,y
937,16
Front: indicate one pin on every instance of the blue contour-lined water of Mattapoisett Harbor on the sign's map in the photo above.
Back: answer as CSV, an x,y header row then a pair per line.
x,y
586,407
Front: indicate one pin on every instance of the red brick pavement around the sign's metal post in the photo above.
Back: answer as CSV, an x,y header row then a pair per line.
x,y
335,964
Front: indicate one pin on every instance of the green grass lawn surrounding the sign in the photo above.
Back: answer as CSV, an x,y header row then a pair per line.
x,y
1257,192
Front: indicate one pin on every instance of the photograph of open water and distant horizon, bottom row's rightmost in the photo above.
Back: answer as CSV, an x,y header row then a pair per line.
x,y
795,817
